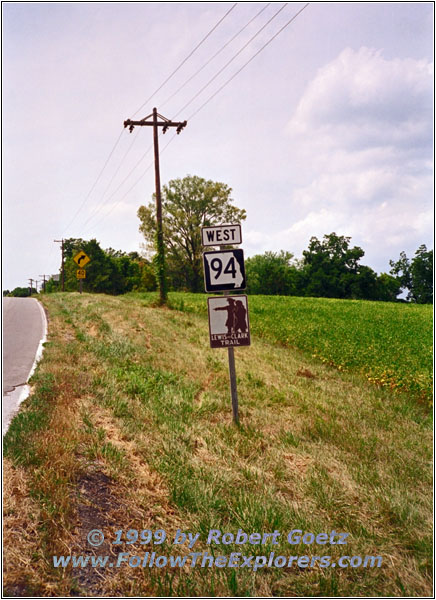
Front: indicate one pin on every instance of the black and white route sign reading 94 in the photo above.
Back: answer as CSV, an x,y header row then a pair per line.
x,y
224,270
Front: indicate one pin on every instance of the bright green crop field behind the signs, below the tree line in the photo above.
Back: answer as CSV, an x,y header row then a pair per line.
x,y
388,343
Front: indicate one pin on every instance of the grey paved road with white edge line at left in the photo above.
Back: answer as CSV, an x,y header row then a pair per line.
x,y
24,330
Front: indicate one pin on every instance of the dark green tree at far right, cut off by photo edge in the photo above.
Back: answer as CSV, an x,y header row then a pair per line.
x,y
415,275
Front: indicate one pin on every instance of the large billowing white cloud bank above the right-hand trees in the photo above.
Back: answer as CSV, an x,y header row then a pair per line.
x,y
363,138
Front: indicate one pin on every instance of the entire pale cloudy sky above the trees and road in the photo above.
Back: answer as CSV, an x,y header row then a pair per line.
x,y
319,124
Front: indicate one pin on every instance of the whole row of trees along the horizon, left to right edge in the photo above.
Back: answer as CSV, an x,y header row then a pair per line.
x,y
329,268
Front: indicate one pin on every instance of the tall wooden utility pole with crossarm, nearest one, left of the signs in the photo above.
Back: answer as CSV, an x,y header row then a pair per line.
x,y
165,124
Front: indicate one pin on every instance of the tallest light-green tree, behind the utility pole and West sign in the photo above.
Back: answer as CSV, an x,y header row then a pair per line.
x,y
187,205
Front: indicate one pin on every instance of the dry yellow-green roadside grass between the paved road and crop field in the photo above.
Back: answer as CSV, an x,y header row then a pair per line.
x,y
131,407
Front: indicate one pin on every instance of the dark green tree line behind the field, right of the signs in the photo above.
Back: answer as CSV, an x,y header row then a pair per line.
x,y
331,269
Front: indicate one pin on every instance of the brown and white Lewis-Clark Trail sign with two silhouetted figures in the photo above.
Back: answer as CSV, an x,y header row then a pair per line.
x,y
228,321
